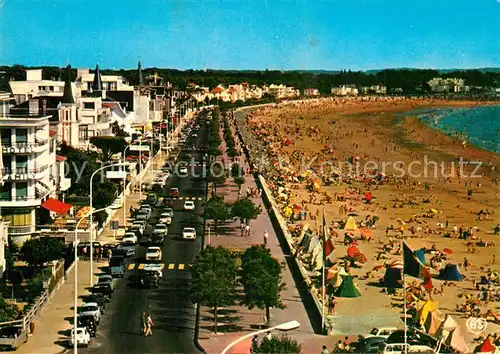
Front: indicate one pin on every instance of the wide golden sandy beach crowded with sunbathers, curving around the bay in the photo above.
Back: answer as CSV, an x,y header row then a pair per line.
x,y
425,196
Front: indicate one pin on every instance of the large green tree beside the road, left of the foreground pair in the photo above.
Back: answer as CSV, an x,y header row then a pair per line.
x,y
214,274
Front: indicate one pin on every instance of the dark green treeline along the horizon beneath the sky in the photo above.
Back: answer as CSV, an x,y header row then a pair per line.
x,y
410,80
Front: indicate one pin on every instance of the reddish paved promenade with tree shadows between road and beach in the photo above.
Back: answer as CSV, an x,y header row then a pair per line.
x,y
238,320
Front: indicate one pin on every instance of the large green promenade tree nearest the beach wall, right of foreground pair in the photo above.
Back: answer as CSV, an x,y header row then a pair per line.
x,y
261,278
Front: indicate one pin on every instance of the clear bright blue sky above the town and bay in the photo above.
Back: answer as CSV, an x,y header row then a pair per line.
x,y
238,34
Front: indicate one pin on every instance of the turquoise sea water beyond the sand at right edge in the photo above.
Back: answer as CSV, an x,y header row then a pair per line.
x,y
479,126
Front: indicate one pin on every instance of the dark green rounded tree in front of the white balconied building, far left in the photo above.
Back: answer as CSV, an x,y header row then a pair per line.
x,y
38,251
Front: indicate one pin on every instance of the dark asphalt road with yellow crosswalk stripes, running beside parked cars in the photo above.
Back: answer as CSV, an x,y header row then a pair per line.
x,y
172,312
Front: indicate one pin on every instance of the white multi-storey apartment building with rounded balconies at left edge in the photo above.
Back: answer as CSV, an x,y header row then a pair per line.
x,y
30,173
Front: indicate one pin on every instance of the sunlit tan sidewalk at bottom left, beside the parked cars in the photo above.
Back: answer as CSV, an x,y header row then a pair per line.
x,y
52,327
